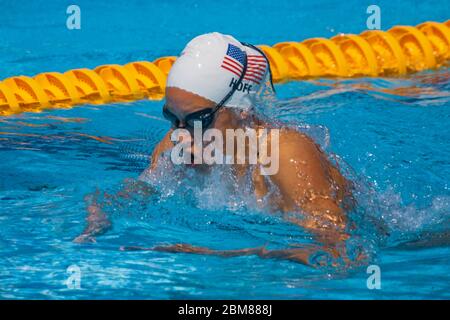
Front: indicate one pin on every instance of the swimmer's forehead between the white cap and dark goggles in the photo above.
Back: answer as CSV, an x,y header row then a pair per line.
x,y
182,103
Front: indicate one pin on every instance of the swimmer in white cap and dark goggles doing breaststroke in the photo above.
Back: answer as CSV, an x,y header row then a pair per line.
x,y
215,81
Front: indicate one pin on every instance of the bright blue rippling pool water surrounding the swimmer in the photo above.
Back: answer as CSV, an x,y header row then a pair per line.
x,y
391,135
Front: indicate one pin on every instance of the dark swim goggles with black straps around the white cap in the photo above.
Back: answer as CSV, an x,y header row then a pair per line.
x,y
206,116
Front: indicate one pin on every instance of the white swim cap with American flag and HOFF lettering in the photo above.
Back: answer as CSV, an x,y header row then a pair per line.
x,y
212,63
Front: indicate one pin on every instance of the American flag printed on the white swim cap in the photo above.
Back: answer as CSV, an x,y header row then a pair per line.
x,y
234,62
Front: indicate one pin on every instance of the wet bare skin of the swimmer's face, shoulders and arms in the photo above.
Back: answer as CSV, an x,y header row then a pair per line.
x,y
308,183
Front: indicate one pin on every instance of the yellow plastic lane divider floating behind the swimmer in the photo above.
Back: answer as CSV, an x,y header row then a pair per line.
x,y
398,51
